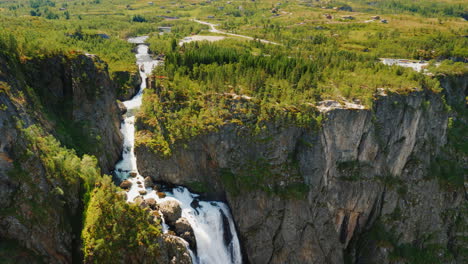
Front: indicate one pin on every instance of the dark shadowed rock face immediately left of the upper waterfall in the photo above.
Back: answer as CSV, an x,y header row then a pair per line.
x,y
82,100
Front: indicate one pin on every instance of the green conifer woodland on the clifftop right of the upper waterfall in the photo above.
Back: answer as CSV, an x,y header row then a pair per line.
x,y
203,86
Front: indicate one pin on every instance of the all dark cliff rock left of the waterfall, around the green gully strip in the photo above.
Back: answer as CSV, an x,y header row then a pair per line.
x,y
39,215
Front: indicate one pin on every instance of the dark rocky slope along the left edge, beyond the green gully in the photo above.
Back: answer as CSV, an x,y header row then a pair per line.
x,y
35,217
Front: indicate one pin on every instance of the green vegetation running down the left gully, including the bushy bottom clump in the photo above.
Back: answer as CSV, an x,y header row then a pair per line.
x,y
112,227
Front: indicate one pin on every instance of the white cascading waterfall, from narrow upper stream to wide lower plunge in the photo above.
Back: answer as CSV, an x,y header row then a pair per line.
x,y
212,223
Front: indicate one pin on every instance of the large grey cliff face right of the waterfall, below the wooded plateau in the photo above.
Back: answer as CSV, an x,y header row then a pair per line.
x,y
359,189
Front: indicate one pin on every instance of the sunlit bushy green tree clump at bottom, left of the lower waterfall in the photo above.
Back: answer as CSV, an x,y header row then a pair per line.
x,y
114,229
